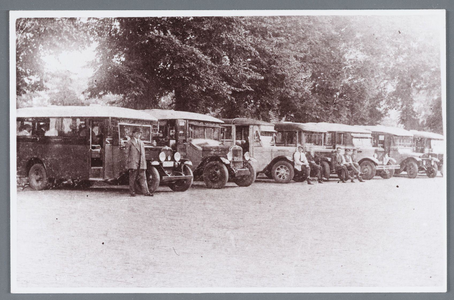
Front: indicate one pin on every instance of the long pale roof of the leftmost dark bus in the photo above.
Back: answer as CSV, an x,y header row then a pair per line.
x,y
94,111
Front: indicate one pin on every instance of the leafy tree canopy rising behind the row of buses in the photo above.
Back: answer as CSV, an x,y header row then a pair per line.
x,y
347,69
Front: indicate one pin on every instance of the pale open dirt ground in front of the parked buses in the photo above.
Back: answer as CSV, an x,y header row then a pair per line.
x,y
381,233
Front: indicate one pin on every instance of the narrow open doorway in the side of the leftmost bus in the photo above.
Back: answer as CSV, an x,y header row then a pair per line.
x,y
97,148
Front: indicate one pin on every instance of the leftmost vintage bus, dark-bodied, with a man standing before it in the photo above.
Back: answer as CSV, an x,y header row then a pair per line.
x,y
86,144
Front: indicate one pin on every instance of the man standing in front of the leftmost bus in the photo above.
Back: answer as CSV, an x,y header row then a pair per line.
x,y
137,163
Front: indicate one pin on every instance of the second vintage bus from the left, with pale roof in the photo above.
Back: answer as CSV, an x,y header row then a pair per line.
x,y
199,138
